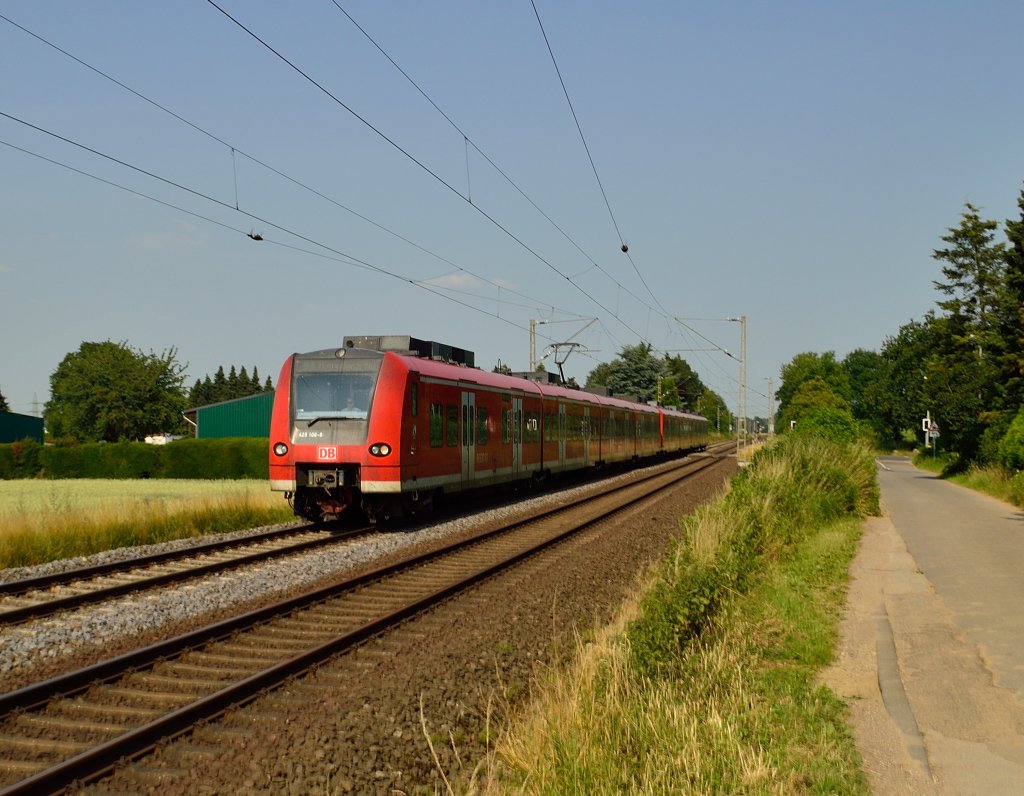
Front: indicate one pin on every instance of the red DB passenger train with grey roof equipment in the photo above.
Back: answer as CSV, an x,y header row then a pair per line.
x,y
389,424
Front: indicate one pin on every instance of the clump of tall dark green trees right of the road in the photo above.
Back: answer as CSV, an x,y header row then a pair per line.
x,y
963,364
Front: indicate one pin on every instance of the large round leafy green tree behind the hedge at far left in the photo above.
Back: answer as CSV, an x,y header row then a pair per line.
x,y
109,392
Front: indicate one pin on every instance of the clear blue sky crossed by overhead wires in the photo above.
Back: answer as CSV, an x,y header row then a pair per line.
x,y
792,162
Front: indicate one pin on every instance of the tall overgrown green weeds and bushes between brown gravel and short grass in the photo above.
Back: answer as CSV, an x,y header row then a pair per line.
x,y
798,485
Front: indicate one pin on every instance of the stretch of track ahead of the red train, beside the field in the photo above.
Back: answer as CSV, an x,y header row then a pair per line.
x,y
34,598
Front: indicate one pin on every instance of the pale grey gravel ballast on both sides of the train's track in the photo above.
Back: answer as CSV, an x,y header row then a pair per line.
x,y
94,632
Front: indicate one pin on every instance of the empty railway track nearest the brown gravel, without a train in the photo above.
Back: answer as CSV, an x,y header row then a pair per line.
x,y
79,726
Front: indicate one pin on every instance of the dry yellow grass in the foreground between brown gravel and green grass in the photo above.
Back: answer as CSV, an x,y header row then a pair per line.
x,y
599,729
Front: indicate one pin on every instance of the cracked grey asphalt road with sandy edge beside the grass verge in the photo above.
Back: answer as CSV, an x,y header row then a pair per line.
x,y
932,655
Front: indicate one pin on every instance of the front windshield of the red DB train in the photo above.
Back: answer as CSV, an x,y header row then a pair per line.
x,y
335,390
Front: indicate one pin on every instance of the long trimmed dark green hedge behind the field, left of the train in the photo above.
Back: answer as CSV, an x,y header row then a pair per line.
x,y
238,458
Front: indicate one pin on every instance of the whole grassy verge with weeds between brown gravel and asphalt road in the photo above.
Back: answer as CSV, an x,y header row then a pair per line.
x,y
709,681
